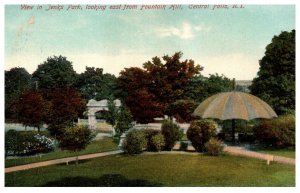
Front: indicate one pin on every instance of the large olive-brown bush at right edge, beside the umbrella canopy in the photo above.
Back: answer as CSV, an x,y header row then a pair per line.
x,y
279,132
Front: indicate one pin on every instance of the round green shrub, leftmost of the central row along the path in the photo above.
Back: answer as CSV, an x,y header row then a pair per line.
x,y
135,142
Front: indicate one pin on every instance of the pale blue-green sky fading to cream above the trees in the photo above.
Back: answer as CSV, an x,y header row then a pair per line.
x,y
224,41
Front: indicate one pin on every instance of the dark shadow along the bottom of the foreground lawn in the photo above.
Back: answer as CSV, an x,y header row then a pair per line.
x,y
106,180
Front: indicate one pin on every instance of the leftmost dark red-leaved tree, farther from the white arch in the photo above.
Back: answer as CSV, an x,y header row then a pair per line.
x,y
32,109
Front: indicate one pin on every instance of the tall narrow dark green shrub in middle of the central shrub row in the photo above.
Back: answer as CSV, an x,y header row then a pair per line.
x,y
171,134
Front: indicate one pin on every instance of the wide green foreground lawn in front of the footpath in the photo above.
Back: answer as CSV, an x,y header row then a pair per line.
x,y
159,170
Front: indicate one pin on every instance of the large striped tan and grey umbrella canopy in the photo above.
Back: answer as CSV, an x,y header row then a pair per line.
x,y
234,105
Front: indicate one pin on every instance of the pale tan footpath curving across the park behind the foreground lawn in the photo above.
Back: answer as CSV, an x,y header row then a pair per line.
x,y
229,149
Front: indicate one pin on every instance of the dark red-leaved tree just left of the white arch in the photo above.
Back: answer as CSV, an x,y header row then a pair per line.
x,y
66,106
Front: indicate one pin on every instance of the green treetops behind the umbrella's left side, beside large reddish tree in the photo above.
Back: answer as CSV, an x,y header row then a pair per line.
x,y
199,87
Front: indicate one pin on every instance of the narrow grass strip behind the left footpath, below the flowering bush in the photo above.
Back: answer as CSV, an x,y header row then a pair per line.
x,y
105,144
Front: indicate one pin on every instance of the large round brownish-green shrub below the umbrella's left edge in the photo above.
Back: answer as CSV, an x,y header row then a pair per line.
x,y
200,132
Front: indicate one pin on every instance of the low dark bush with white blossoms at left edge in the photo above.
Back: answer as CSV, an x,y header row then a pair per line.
x,y
27,143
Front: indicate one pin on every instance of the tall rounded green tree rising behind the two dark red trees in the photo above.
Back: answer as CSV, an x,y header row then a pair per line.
x,y
56,72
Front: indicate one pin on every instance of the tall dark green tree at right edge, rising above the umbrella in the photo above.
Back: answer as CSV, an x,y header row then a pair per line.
x,y
275,81
